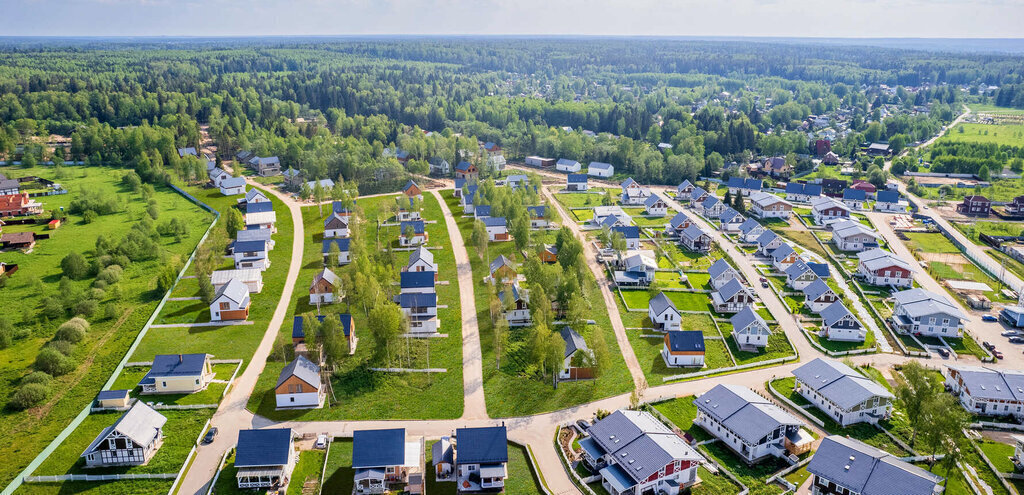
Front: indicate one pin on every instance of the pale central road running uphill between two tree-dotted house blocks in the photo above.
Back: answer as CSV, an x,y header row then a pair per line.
x,y
475,406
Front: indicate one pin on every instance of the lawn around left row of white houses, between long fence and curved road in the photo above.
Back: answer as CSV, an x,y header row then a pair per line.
x,y
232,342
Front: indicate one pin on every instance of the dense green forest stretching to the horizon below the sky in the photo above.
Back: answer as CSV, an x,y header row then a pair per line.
x,y
330,108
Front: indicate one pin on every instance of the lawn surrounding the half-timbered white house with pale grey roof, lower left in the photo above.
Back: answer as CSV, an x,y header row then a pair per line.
x,y
181,433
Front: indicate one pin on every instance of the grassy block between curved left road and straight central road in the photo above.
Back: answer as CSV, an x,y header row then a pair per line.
x,y
359,393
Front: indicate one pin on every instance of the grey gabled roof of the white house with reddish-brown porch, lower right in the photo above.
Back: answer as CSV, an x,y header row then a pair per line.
x,y
749,416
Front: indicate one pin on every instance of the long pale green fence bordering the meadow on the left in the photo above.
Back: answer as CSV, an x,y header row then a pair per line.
x,y
10,489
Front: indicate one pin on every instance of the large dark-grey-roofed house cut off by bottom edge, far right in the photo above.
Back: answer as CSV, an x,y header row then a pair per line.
x,y
846,466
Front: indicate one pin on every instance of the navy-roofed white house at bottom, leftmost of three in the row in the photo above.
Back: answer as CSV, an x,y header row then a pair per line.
x,y
265,459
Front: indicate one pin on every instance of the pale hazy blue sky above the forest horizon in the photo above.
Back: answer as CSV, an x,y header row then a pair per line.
x,y
858,19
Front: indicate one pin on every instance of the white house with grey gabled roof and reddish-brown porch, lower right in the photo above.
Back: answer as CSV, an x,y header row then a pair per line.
x,y
750,425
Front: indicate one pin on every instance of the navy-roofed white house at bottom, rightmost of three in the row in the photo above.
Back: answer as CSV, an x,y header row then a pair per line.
x,y
482,458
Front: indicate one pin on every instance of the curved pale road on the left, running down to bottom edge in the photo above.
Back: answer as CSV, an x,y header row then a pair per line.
x,y
232,416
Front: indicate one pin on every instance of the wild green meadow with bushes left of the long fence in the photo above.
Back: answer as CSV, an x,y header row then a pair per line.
x,y
136,298
